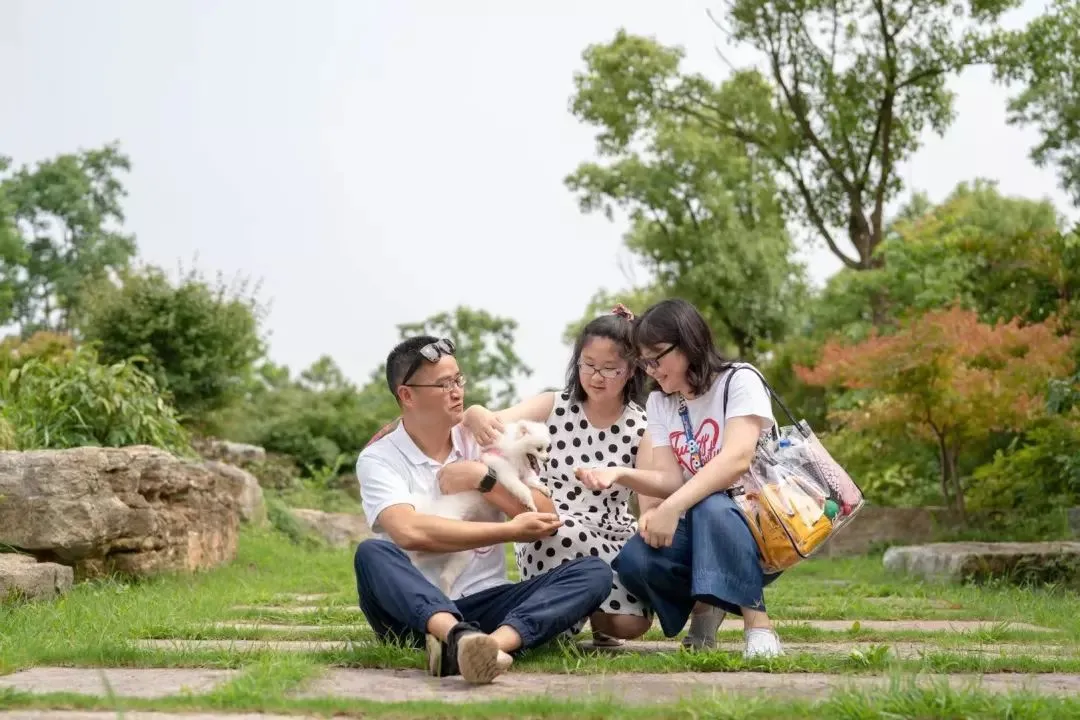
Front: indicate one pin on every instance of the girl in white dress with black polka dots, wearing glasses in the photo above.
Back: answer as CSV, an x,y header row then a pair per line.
x,y
596,422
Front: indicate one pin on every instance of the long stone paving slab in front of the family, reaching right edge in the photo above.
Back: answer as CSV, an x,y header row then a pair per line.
x,y
646,688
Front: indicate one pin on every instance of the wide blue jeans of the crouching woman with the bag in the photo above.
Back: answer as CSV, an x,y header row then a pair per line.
x,y
713,559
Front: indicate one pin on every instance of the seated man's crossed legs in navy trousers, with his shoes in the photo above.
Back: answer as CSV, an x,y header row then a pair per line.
x,y
474,636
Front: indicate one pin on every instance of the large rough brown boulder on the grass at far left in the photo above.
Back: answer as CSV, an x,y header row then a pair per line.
x,y
134,511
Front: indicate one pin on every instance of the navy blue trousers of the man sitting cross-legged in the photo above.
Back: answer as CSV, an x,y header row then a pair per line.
x,y
398,601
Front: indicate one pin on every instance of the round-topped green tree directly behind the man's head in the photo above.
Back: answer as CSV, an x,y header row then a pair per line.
x,y
485,352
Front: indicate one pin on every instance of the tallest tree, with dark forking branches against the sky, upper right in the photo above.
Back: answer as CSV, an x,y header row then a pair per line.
x,y
848,91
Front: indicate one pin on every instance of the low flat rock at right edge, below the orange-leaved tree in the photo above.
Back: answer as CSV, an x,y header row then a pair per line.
x,y
1020,563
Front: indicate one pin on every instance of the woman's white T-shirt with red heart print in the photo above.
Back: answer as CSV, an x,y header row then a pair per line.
x,y
747,397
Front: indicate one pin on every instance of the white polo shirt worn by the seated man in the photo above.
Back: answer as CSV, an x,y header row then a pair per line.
x,y
394,469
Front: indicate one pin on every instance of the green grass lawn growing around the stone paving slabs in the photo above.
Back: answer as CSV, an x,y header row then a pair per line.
x,y
98,624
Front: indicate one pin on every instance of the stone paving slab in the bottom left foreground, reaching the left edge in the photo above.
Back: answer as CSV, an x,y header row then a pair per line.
x,y
128,683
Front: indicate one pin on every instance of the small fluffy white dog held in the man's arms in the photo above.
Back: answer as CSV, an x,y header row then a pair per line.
x,y
518,458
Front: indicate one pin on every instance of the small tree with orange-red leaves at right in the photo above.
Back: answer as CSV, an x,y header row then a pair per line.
x,y
947,377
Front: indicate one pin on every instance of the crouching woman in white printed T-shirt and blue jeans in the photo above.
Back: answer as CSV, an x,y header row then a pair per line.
x,y
695,547
